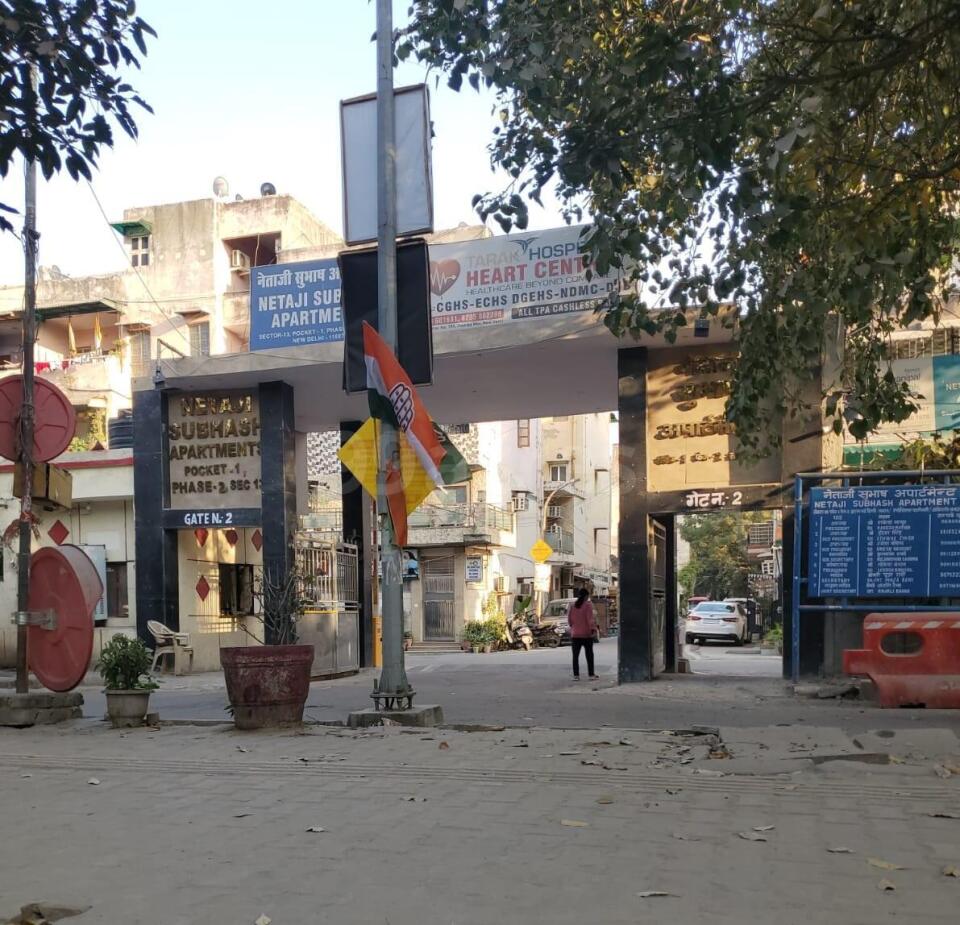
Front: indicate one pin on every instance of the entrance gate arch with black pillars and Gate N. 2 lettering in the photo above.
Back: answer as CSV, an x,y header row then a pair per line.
x,y
677,453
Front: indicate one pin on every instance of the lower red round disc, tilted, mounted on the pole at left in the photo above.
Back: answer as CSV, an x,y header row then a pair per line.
x,y
64,580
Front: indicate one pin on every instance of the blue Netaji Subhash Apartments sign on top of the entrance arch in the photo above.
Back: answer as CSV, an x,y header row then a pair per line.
x,y
294,304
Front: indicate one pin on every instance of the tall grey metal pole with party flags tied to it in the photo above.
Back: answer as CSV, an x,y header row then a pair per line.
x,y
393,688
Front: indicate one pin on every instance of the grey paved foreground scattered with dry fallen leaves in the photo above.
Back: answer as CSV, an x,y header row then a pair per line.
x,y
185,825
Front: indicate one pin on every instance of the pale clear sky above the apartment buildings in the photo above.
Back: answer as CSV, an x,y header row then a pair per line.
x,y
250,91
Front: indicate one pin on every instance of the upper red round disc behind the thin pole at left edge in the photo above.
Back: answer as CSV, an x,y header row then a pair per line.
x,y
55,421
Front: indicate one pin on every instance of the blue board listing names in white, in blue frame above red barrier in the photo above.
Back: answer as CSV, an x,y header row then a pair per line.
x,y
888,541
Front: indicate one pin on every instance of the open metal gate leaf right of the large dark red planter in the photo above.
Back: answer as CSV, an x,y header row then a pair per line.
x,y
331,620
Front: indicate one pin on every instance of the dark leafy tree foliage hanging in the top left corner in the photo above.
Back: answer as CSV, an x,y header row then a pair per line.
x,y
61,85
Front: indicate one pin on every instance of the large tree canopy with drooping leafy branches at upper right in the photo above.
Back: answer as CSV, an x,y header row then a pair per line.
x,y
799,159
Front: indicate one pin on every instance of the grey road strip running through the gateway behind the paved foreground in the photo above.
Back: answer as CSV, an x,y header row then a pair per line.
x,y
729,688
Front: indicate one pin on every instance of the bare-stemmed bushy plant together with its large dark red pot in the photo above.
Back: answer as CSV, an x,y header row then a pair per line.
x,y
268,684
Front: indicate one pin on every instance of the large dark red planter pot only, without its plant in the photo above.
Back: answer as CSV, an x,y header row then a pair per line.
x,y
267,685
